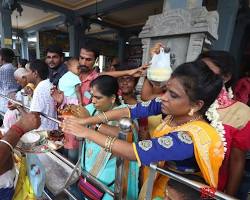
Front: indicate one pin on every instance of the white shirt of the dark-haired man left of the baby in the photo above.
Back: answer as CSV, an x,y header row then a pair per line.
x,y
43,102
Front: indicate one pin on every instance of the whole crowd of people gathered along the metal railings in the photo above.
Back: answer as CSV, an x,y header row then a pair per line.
x,y
190,124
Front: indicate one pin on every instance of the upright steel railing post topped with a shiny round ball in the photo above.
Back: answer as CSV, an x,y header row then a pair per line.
x,y
125,127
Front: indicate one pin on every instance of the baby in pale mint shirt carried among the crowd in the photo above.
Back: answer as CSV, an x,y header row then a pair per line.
x,y
70,83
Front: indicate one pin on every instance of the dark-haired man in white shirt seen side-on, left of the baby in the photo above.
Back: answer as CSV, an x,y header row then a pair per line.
x,y
42,102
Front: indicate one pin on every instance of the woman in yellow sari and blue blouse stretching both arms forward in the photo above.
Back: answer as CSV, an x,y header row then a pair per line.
x,y
184,139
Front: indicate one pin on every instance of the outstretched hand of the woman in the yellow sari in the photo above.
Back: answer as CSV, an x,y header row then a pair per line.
x,y
69,125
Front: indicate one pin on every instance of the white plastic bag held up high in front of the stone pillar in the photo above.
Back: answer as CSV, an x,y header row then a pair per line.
x,y
160,69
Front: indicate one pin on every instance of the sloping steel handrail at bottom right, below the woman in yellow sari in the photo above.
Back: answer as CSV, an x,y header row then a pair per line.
x,y
193,184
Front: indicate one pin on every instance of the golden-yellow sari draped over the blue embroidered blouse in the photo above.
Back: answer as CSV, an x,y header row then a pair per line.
x,y
208,150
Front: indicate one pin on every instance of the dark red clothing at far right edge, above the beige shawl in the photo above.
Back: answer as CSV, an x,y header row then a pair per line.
x,y
242,90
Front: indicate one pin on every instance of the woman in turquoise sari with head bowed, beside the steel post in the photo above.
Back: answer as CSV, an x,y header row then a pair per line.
x,y
95,159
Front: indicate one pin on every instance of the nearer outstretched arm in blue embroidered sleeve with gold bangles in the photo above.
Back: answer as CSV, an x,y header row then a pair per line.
x,y
170,147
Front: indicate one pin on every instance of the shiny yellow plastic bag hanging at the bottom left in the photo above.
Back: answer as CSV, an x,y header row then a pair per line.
x,y
23,190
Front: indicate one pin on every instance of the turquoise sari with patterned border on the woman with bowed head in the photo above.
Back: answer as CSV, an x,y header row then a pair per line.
x,y
102,164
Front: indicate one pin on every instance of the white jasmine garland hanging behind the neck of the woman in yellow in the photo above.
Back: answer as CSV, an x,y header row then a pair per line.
x,y
214,118
